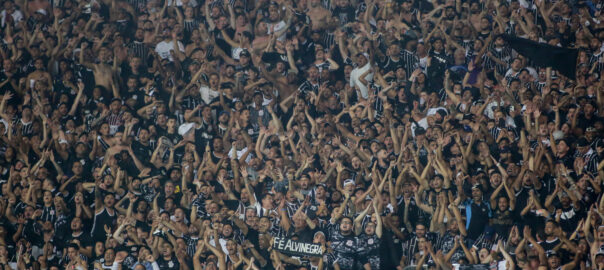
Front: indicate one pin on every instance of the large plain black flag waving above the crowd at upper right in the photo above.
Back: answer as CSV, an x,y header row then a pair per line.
x,y
563,60
